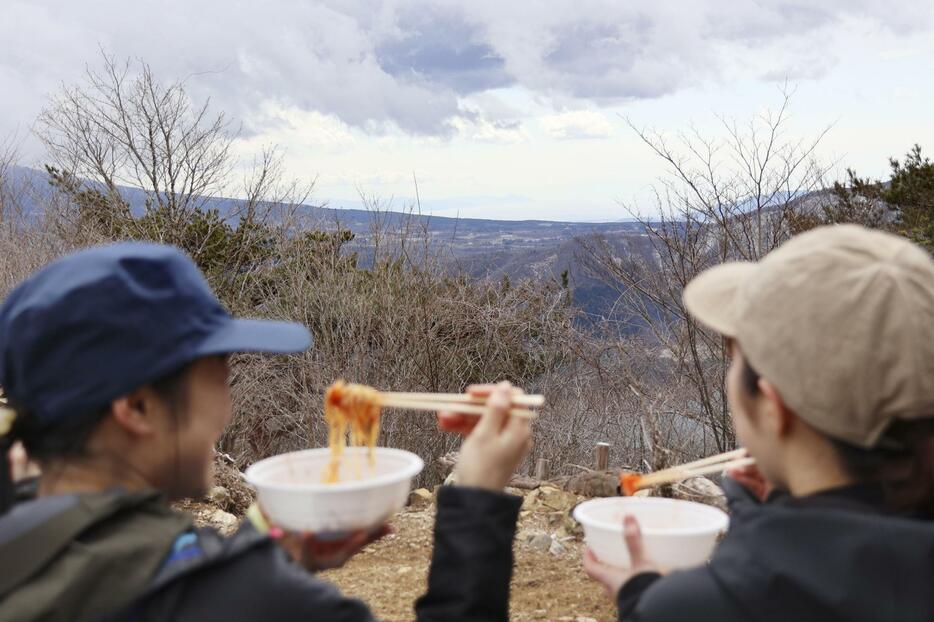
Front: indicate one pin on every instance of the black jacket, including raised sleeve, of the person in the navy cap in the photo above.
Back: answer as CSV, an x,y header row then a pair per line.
x,y
249,577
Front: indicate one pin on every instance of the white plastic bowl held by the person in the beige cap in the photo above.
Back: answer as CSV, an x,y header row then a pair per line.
x,y
677,534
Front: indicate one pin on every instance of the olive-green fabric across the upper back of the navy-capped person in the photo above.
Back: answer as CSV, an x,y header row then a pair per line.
x,y
83,556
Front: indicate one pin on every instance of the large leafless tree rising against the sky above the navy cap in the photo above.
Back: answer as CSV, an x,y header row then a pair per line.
x,y
140,159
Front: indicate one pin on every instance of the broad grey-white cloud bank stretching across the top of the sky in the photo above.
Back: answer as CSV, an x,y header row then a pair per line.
x,y
414,64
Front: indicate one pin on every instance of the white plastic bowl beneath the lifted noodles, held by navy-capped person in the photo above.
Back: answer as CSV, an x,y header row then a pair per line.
x,y
290,489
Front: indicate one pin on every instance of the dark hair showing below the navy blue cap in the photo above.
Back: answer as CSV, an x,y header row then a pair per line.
x,y
69,439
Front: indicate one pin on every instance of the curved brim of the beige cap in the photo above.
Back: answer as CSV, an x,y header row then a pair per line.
x,y
713,296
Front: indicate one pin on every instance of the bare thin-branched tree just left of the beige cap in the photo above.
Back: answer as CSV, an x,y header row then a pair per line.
x,y
730,198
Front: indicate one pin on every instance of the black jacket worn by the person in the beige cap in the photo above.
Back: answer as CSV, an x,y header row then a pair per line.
x,y
829,557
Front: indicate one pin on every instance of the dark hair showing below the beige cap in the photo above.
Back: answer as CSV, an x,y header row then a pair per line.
x,y
902,461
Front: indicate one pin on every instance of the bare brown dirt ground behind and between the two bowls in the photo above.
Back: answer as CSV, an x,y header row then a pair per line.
x,y
548,582
